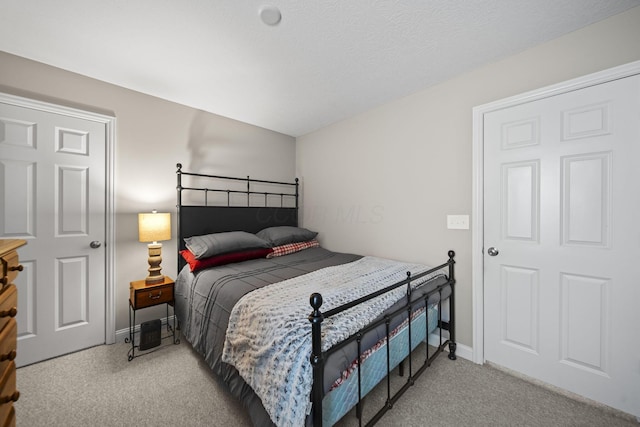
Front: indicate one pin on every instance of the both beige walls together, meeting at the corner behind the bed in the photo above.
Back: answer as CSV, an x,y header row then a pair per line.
x,y
380,183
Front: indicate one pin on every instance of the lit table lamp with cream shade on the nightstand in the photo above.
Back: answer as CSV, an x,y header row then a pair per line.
x,y
154,227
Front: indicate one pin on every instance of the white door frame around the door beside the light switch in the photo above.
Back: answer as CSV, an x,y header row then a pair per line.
x,y
477,207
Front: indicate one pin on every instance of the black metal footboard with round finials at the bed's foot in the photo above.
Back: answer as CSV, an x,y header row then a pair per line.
x,y
318,357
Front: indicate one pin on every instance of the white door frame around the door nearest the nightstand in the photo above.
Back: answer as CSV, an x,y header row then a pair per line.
x,y
110,128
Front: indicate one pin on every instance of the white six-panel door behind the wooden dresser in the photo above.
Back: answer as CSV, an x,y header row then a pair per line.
x,y
52,188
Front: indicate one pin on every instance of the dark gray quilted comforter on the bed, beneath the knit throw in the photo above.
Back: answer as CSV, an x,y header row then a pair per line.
x,y
204,302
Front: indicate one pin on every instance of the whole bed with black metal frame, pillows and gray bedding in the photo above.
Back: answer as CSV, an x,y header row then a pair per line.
x,y
298,333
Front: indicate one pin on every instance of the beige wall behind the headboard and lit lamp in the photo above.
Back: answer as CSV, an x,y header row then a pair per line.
x,y
152,135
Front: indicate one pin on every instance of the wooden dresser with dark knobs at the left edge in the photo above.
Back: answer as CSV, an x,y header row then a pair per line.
x,y
9,268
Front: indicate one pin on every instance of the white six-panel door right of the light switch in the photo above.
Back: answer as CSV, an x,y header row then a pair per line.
x,y
561,204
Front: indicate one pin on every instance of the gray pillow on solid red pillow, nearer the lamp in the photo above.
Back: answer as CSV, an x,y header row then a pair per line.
x,y
209,245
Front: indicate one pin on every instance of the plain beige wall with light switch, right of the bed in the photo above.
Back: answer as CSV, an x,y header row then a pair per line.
x,y
383,182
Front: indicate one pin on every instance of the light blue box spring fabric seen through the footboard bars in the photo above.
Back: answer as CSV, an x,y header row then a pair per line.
x,y
340,400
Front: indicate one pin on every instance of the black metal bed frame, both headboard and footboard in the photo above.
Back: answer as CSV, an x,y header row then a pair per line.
x,y
197,219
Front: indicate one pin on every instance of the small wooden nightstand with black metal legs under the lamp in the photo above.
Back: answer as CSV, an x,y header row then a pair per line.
x,y
141,296
